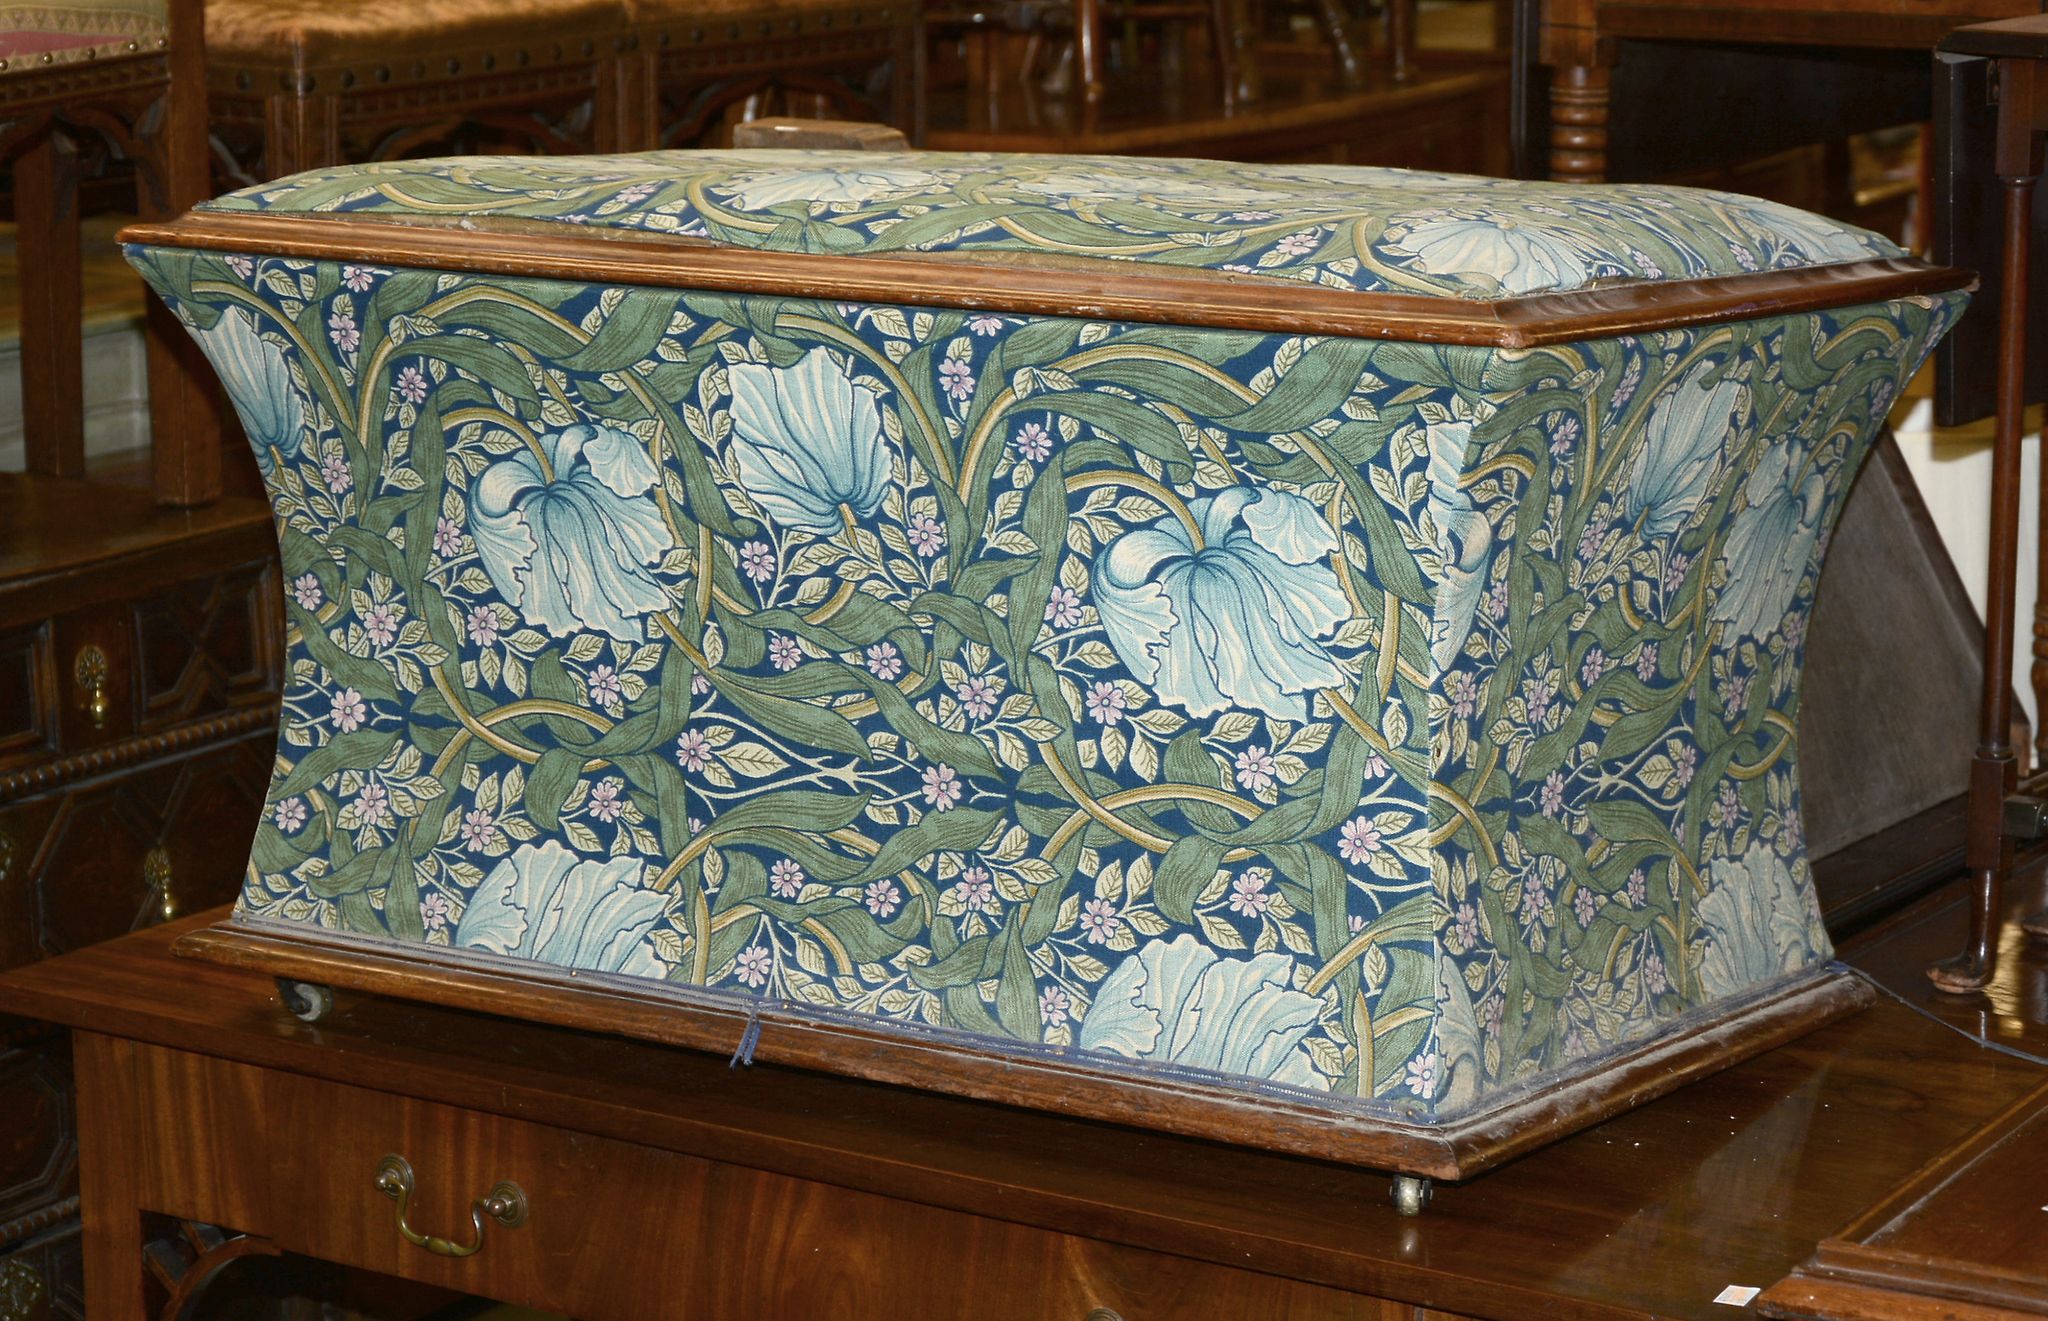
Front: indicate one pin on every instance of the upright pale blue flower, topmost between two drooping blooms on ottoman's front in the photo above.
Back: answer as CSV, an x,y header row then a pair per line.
x,y
808,441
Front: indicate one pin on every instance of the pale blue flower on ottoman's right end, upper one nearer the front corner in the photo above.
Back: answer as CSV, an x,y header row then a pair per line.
x,y
1684,437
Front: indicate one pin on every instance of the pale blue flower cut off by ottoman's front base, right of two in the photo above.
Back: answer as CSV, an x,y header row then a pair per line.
x,y
1181,1003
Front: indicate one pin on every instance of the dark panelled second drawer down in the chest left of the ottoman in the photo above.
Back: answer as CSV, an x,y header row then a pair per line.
x,y
93,861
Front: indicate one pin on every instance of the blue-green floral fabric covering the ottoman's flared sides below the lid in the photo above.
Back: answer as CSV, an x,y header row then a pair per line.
x,y
1367,720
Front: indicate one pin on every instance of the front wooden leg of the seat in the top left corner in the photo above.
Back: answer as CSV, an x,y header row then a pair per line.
x,y
52,325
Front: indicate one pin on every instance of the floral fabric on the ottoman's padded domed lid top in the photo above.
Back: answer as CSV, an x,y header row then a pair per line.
x,y
1338,226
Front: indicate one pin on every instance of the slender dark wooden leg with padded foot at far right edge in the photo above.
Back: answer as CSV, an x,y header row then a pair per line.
x,y
1994,769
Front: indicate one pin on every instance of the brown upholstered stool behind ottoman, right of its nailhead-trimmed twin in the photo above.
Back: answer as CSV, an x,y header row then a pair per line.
x,y
718,62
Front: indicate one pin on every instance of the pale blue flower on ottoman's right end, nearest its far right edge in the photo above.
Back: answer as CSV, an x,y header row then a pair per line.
x,y
1770,546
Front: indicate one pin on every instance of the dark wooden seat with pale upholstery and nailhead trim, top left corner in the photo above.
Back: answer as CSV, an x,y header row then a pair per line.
x,y
128,73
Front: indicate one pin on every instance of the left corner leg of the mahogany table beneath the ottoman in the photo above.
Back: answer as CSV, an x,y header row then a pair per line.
x,y
108,1191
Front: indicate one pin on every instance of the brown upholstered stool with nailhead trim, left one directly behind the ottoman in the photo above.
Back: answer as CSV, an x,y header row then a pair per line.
x,y
312,83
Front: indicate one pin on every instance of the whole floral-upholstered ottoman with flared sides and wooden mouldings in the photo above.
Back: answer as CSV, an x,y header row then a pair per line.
x,y
1304,656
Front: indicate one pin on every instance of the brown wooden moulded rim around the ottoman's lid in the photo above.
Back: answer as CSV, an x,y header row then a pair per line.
x,y
1019,284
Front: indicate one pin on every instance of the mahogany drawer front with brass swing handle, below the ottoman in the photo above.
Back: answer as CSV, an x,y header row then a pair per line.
x,y
620,1232
